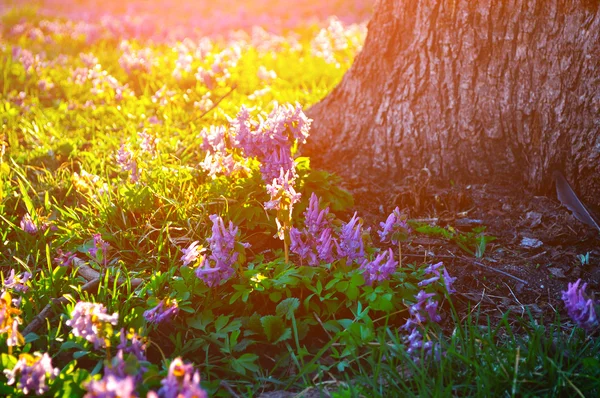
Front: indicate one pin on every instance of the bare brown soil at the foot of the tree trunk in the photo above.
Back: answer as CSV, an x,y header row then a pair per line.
x,y
526,268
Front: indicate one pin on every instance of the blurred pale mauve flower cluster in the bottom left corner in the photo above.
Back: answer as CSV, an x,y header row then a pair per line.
x,y
33,372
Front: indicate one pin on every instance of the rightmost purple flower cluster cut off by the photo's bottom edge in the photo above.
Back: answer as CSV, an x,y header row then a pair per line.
x,y
181,381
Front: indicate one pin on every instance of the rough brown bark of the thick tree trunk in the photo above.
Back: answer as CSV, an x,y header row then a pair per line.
x,y
470,90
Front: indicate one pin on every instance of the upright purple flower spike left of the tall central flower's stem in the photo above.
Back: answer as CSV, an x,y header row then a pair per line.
x,y
219,264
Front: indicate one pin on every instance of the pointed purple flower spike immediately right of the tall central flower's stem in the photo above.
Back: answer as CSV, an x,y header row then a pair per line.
x,y
314,243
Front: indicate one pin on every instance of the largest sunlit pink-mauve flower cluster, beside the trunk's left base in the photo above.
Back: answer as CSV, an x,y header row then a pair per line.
x,y
271,140
